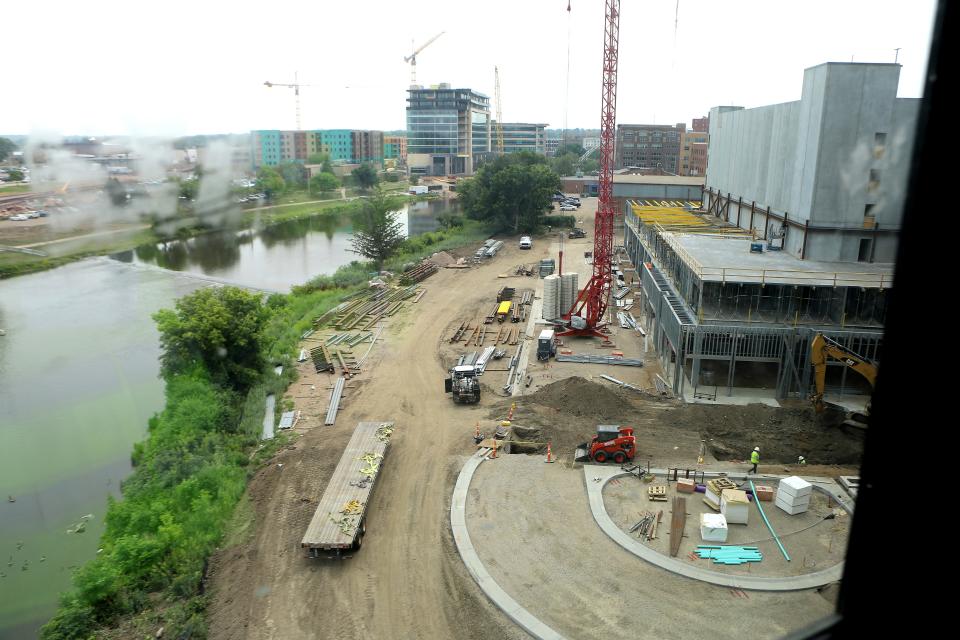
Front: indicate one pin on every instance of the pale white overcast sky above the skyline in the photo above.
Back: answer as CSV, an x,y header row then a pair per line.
x,y
172,68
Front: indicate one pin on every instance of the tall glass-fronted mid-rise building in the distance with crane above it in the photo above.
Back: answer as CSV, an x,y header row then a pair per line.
x,y
448,130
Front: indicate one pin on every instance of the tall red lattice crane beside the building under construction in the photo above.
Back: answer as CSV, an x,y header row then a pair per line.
x,y
586,314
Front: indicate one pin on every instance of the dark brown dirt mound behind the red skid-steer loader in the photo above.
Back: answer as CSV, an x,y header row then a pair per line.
x,y
568,411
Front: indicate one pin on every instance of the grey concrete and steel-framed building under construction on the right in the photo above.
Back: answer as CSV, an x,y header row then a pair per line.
x,y
796,236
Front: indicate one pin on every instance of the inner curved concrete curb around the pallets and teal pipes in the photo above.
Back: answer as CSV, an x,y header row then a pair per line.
x,y
794,583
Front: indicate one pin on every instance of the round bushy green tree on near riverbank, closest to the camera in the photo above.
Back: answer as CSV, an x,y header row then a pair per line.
x,y
217,328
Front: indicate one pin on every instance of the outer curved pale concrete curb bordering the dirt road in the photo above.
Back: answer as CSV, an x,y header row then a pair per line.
x,y
458,522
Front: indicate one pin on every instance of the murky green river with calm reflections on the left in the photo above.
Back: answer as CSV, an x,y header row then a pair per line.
x,y
79,379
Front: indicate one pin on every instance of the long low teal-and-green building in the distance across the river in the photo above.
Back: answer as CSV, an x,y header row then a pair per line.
x,y
345,146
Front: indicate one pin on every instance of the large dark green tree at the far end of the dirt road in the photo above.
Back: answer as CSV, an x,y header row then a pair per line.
x,y
512,192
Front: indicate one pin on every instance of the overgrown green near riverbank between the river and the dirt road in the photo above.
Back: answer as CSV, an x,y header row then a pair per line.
x,y
185,495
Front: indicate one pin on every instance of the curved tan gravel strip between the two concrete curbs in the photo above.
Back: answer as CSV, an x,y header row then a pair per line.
x,y
532,527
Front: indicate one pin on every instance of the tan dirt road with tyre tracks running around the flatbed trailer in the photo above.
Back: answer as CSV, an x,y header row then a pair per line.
x,y
408,580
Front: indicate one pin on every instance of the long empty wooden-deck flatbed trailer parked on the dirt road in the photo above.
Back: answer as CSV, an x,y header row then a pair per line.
x,y
340,521
